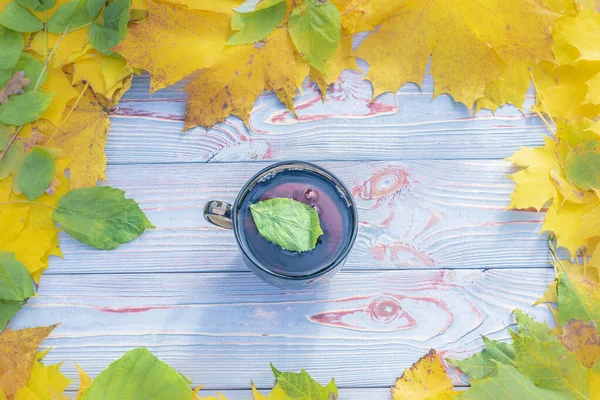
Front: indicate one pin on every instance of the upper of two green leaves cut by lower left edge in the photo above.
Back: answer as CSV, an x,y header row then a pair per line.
x,y
15,280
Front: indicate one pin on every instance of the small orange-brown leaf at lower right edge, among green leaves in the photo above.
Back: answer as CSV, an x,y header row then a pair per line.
x,y
581,338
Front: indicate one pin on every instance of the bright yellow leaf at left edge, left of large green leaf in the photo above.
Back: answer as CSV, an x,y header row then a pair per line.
x,y
33,236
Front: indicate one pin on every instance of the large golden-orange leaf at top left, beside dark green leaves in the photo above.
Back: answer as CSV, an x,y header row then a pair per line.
x,y
174,42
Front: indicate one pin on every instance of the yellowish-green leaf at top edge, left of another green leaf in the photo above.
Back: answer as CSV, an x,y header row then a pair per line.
x,y
256,25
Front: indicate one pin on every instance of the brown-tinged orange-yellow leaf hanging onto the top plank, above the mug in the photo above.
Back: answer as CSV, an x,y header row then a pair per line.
x,y
231,87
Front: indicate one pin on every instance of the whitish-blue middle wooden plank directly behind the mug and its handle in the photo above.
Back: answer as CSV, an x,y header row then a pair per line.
x,y
417,214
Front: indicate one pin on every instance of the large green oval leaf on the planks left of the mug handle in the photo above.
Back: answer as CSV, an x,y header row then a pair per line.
x,y
100,217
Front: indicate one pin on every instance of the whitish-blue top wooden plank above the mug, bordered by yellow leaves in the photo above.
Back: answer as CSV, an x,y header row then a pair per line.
x,y
348,126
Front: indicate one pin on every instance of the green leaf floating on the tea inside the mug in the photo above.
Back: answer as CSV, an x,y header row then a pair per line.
x,y
287,223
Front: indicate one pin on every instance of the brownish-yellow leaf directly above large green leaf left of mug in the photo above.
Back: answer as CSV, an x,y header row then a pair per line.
x,y
82,137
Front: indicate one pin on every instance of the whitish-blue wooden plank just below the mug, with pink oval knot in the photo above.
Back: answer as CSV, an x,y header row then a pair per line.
x,y
223,329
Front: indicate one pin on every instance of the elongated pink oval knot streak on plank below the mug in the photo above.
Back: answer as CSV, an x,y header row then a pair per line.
x,y
387,313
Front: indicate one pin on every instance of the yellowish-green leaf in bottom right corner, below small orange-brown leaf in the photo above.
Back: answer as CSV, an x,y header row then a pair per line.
x,y
549,365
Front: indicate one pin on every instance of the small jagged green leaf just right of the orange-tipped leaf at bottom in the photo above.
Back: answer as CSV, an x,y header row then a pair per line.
x,y
485,363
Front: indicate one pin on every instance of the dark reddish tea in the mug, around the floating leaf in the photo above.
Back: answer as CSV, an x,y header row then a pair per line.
x,y
318,192
